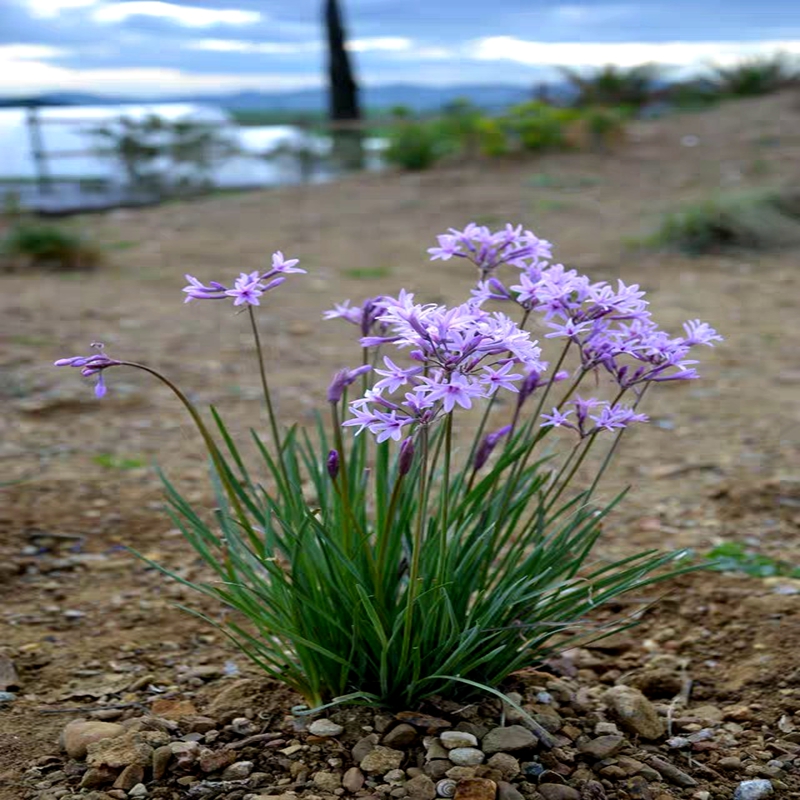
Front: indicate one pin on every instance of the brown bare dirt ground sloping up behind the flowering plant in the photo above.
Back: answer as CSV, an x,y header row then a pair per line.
x,y
721,462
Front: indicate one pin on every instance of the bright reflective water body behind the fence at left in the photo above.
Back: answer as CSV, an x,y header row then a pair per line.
x,y
78,177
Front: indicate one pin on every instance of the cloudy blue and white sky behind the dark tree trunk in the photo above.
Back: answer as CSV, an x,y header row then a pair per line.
x,y
151,48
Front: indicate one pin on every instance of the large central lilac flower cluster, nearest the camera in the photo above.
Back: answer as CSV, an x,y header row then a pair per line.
x,y
460,354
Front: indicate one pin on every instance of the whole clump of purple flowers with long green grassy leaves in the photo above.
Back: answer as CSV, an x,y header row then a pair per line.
x,y
413,546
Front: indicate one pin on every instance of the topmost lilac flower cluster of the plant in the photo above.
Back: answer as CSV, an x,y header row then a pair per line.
x,y
488,251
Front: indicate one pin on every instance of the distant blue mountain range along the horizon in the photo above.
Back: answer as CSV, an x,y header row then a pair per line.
x,y
417,98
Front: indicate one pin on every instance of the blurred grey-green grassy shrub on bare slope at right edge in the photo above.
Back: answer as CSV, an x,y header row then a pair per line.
x,y
750,220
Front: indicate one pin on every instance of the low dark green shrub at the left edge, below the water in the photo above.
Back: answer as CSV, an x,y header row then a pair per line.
x,y
48,245
